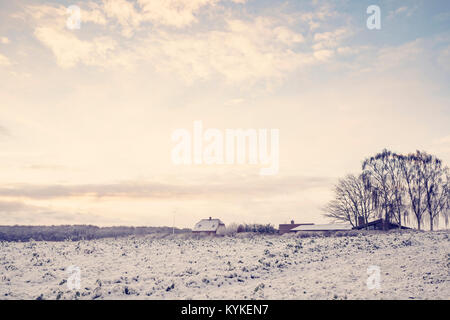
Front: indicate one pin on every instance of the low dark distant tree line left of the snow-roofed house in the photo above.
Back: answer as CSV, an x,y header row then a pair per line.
x,y
75,232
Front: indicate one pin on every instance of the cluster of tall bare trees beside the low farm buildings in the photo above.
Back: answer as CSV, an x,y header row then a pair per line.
x,y
398,188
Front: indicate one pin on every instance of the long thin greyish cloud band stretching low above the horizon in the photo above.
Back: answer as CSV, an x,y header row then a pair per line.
x,y
246,186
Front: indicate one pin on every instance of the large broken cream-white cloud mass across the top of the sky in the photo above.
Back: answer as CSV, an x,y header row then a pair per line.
x,y
248,49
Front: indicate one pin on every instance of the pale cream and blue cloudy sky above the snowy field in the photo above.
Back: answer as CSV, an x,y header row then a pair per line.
x,y
87,114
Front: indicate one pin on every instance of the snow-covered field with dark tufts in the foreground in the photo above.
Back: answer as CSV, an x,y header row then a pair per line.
x,y
413,265
